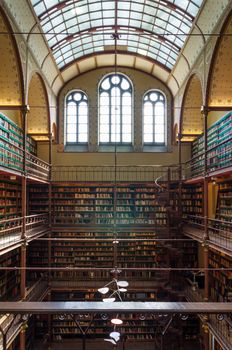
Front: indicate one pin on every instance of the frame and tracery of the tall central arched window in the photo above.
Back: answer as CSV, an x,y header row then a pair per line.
x,y
131,91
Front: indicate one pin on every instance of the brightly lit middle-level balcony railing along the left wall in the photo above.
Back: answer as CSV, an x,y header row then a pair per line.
x,y
11,229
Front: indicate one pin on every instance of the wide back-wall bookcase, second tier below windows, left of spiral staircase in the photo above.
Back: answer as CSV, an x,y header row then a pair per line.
x,y
136,254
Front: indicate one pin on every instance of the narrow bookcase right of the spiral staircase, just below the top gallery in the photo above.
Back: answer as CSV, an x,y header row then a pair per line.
x,y
192,201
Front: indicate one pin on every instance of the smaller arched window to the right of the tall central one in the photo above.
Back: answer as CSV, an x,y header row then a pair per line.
x,y
154,109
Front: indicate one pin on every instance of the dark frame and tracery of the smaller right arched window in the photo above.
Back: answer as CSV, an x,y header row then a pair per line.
x,y
153,143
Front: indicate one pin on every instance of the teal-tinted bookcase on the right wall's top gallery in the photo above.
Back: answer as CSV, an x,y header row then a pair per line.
x,y
219,147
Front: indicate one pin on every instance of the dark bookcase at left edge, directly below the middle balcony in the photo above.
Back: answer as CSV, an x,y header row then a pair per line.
x,y
10,279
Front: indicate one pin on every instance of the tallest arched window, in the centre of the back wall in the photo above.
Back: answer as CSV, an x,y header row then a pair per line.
x,y
115,109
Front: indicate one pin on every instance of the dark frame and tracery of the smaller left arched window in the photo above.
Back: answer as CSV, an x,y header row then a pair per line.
x,y
77,116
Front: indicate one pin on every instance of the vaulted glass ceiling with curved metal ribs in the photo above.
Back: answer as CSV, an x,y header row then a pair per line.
x,y
156,29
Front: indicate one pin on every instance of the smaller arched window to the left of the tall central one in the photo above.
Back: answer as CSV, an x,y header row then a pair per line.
x,y
76,117
